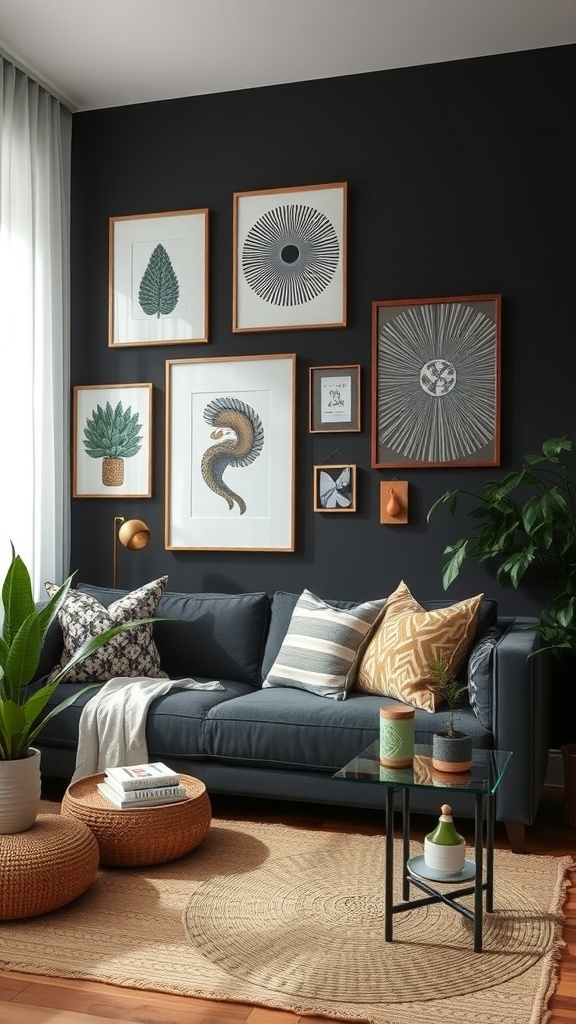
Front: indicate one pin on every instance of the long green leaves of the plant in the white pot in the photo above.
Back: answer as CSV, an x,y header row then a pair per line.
x,y
23,714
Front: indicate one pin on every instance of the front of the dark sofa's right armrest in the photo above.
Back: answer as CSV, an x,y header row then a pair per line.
x,y
521,698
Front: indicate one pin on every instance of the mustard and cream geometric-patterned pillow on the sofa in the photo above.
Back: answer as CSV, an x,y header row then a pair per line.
x,y
397,661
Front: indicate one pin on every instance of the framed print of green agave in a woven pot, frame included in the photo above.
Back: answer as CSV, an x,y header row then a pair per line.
x,y
112,441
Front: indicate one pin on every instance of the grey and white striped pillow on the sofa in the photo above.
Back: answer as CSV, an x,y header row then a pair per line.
x,y
323,647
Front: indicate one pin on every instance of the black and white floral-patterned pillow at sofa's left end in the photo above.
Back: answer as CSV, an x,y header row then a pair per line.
x,y
131,654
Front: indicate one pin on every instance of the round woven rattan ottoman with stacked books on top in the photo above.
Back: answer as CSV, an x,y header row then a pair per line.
x,y
147,835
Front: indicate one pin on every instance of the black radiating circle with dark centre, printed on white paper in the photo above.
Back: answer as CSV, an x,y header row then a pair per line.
x,y
291,255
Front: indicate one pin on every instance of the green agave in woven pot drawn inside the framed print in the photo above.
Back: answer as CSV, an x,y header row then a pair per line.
x,y
113,436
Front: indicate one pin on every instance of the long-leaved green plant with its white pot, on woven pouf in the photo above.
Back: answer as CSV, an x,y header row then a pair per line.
x,y
23,707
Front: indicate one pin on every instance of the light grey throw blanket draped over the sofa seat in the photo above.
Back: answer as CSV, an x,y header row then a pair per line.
x,y
112,729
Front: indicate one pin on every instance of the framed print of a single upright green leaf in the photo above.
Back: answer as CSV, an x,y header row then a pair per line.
x,y
158,279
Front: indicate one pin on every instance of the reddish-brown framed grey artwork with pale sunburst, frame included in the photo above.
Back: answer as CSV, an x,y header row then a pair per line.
x,y
436,382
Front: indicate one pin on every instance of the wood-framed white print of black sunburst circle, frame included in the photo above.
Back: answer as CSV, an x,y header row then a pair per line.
x,y
290,259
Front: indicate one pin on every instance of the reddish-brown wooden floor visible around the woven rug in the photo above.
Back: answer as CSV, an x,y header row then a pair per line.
x,y
29,999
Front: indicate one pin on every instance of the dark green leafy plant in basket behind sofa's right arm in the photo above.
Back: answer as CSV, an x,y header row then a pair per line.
x,y
526,523
